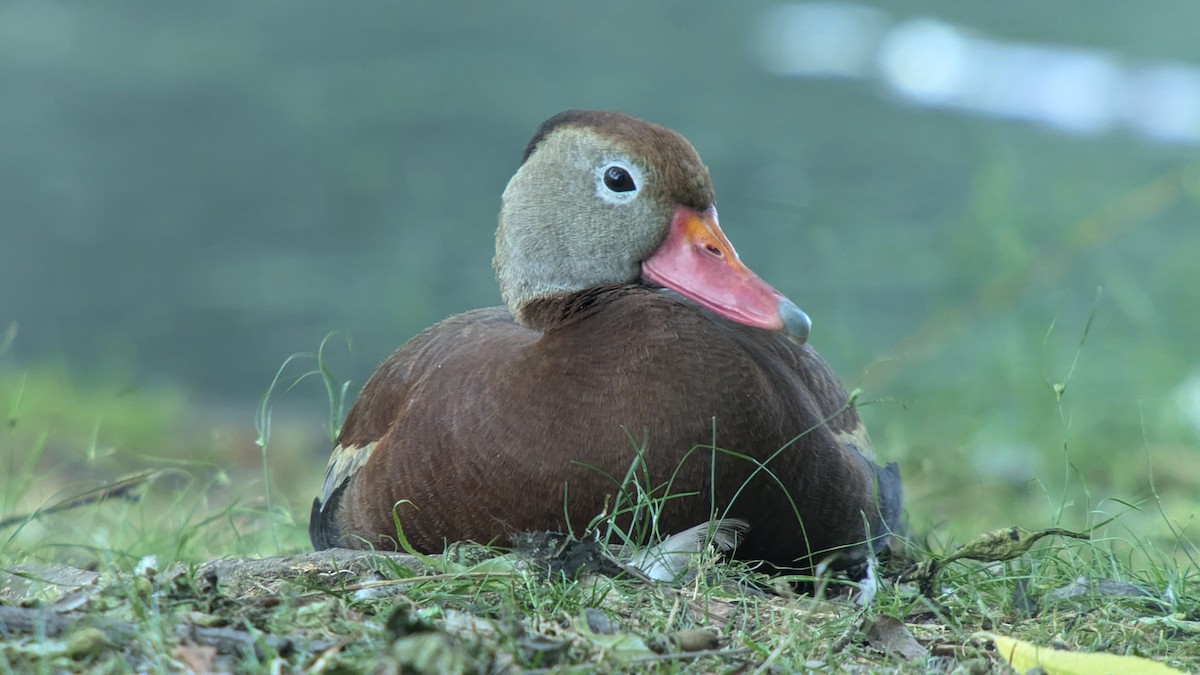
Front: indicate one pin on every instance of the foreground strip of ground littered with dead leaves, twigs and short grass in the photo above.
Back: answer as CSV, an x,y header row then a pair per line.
x,y
501,614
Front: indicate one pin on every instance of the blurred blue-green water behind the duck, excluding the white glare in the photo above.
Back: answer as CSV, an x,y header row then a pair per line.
x,y
196,192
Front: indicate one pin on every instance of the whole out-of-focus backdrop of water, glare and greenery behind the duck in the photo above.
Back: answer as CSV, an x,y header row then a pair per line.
x,y
991,211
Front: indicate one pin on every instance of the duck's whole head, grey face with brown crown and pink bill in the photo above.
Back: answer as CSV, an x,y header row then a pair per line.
x,y
604,199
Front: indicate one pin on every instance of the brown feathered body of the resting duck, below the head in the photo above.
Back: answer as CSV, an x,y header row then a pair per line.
x,y
481,425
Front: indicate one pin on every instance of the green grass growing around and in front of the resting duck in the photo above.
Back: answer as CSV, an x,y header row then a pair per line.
x,y
125,583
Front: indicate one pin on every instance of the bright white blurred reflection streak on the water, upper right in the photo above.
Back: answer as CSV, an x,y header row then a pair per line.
x,y
937,64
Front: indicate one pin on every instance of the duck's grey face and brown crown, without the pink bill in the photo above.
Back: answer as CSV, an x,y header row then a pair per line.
x,y
589,206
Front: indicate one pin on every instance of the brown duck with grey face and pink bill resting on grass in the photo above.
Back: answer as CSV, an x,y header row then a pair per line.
x,y
633,342
